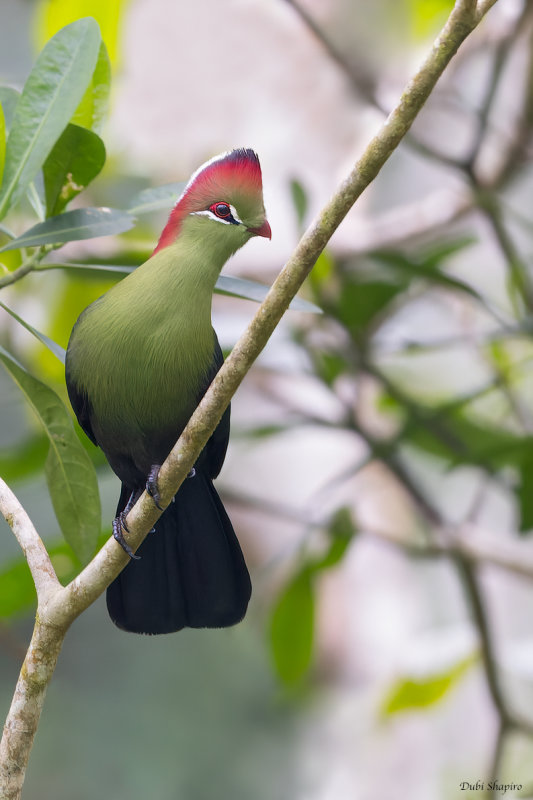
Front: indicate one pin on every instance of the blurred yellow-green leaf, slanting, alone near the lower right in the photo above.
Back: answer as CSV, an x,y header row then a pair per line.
x,y
410,694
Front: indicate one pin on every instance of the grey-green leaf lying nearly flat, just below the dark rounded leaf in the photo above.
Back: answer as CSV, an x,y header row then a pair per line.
x,y
82,223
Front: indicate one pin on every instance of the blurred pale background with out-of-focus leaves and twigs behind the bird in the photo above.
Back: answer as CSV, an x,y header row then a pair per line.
x,y
380,471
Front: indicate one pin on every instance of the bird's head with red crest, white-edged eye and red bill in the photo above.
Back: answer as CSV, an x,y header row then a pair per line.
x,y
222,203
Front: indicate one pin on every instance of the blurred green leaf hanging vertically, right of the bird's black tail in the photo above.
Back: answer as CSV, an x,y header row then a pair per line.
x,y
292,629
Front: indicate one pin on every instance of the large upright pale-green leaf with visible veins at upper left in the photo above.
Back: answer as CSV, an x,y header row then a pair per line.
x,y
48,101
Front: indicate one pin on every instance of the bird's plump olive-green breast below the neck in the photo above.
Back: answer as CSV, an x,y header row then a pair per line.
x,y
143,352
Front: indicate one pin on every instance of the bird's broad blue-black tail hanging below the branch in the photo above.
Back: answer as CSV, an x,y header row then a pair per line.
x,y
191,573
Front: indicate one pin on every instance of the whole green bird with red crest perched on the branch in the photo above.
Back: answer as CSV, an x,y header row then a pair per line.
x,y
139,360
